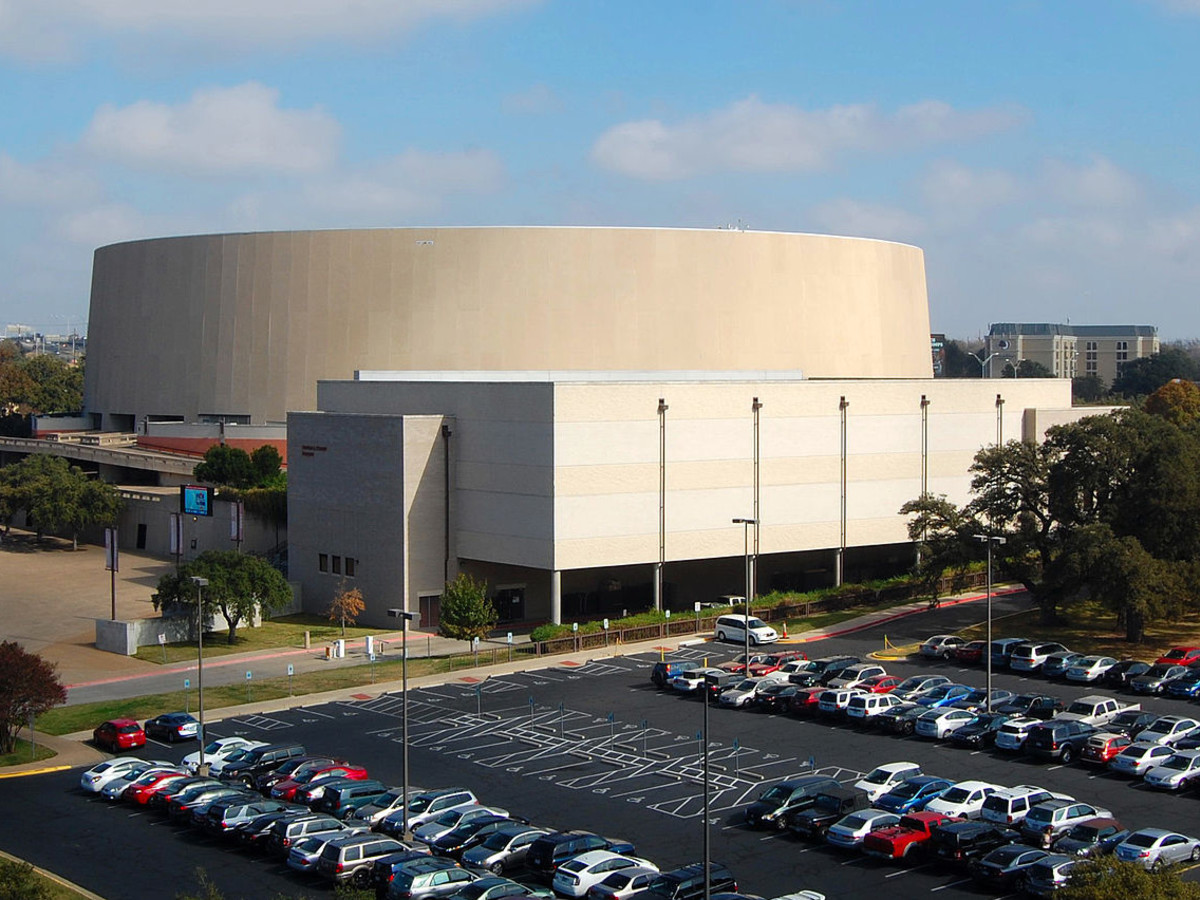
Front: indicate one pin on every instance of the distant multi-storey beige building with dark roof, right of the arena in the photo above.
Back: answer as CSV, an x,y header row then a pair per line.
x,y
1069,351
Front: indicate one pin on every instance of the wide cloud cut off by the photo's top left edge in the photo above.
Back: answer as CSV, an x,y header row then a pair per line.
x,y
55,31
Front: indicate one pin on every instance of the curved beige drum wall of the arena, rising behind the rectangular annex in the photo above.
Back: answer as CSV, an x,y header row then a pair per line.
x,y
243,326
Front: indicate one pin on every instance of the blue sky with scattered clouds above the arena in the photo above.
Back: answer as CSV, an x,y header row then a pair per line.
x,y
1045,154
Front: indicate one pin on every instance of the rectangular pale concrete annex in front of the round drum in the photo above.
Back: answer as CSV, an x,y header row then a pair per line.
x,y
555,478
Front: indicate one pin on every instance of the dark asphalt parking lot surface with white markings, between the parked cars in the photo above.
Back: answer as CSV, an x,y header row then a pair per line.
x,y
593,747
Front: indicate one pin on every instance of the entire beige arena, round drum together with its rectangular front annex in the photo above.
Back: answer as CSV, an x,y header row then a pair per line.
x,y
574,415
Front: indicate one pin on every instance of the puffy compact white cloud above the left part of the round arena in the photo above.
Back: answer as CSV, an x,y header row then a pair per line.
x,y
218,131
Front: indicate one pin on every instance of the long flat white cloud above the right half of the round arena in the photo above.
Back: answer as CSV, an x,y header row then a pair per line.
x,y
753,136
